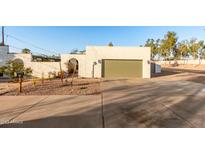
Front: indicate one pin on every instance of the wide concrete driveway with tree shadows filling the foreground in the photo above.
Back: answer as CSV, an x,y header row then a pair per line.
x,y
175,99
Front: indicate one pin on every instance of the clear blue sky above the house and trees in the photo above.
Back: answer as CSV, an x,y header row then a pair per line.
x,y
64,39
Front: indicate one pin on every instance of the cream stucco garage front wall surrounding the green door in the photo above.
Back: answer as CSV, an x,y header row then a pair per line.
x,y
96,54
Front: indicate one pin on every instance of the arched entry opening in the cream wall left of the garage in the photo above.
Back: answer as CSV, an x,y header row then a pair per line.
x,y
73,66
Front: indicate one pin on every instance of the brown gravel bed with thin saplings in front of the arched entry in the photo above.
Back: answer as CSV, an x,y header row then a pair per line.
x,y
55,87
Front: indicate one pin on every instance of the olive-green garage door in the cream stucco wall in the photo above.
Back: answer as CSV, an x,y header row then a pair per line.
x,y
112,68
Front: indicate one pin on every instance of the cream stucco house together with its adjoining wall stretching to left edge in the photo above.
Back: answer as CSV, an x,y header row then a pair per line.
x,y
95,62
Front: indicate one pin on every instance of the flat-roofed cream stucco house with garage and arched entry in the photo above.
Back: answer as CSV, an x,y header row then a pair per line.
x,y
112,62
